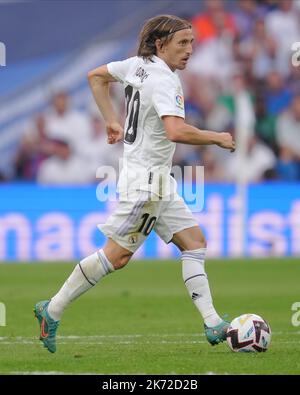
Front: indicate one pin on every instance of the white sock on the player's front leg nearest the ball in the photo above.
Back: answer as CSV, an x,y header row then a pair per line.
x,y
195,279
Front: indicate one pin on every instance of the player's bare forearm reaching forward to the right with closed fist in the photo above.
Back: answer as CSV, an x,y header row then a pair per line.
x,y
180,132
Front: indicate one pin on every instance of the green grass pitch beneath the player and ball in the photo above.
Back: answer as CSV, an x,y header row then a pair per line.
x,y
140,319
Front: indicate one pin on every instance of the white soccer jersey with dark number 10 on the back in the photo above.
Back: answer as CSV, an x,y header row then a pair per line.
x,y
151,91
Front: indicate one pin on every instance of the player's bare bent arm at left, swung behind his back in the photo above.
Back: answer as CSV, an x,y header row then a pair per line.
x,y
99,80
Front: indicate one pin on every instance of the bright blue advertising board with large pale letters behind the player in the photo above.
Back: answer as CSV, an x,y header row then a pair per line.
x,y
42,223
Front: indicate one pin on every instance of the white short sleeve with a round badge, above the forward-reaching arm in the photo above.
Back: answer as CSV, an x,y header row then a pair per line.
x,y
168,98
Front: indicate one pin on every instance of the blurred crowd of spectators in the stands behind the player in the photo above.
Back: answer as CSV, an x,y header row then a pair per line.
x,y
240,74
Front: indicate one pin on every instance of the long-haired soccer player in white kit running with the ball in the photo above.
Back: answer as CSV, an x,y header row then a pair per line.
x,y
155,122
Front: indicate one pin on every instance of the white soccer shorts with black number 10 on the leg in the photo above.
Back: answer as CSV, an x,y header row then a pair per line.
x,y
133,221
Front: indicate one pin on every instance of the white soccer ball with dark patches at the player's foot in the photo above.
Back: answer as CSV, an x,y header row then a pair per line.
x,y
249,333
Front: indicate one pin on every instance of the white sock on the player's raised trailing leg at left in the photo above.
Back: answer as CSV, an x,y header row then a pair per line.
x,y
85,275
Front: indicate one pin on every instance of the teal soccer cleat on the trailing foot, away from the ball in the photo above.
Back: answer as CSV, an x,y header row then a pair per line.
x,y
48,326
